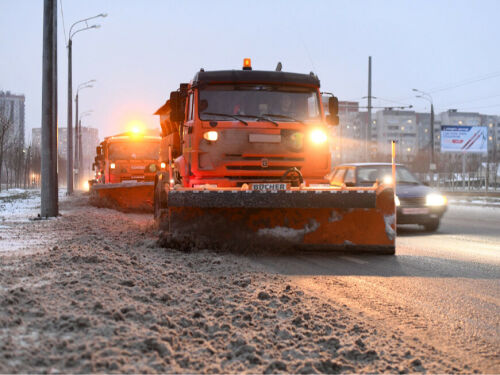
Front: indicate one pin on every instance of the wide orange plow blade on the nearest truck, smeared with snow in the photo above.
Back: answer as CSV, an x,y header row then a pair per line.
x,y
327,219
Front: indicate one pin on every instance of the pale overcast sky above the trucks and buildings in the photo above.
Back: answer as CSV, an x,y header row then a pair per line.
x,y
145,48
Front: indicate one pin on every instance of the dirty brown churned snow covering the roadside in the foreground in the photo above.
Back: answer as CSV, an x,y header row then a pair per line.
x,y
101,296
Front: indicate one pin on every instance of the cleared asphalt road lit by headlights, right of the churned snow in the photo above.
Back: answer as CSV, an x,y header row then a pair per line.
x,y
441,289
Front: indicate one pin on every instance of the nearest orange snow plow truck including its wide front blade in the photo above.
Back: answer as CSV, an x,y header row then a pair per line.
x,y
247,153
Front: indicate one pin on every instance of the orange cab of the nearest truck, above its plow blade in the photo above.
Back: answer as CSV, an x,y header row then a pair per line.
x,y
234,127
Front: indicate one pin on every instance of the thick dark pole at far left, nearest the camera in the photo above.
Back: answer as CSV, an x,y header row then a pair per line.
x,y
49,196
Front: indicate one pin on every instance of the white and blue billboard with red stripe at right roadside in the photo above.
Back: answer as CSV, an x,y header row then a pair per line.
x,y
459,138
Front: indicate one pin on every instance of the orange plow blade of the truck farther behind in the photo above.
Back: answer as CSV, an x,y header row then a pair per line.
x,y
123,196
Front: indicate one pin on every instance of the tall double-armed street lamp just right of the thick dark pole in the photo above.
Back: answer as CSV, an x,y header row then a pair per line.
x,y
70,96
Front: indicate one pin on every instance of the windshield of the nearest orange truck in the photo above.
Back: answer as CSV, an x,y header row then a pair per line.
x,y
283,103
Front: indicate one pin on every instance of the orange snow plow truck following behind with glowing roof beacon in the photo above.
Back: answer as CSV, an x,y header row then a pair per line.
x,y
125,168
